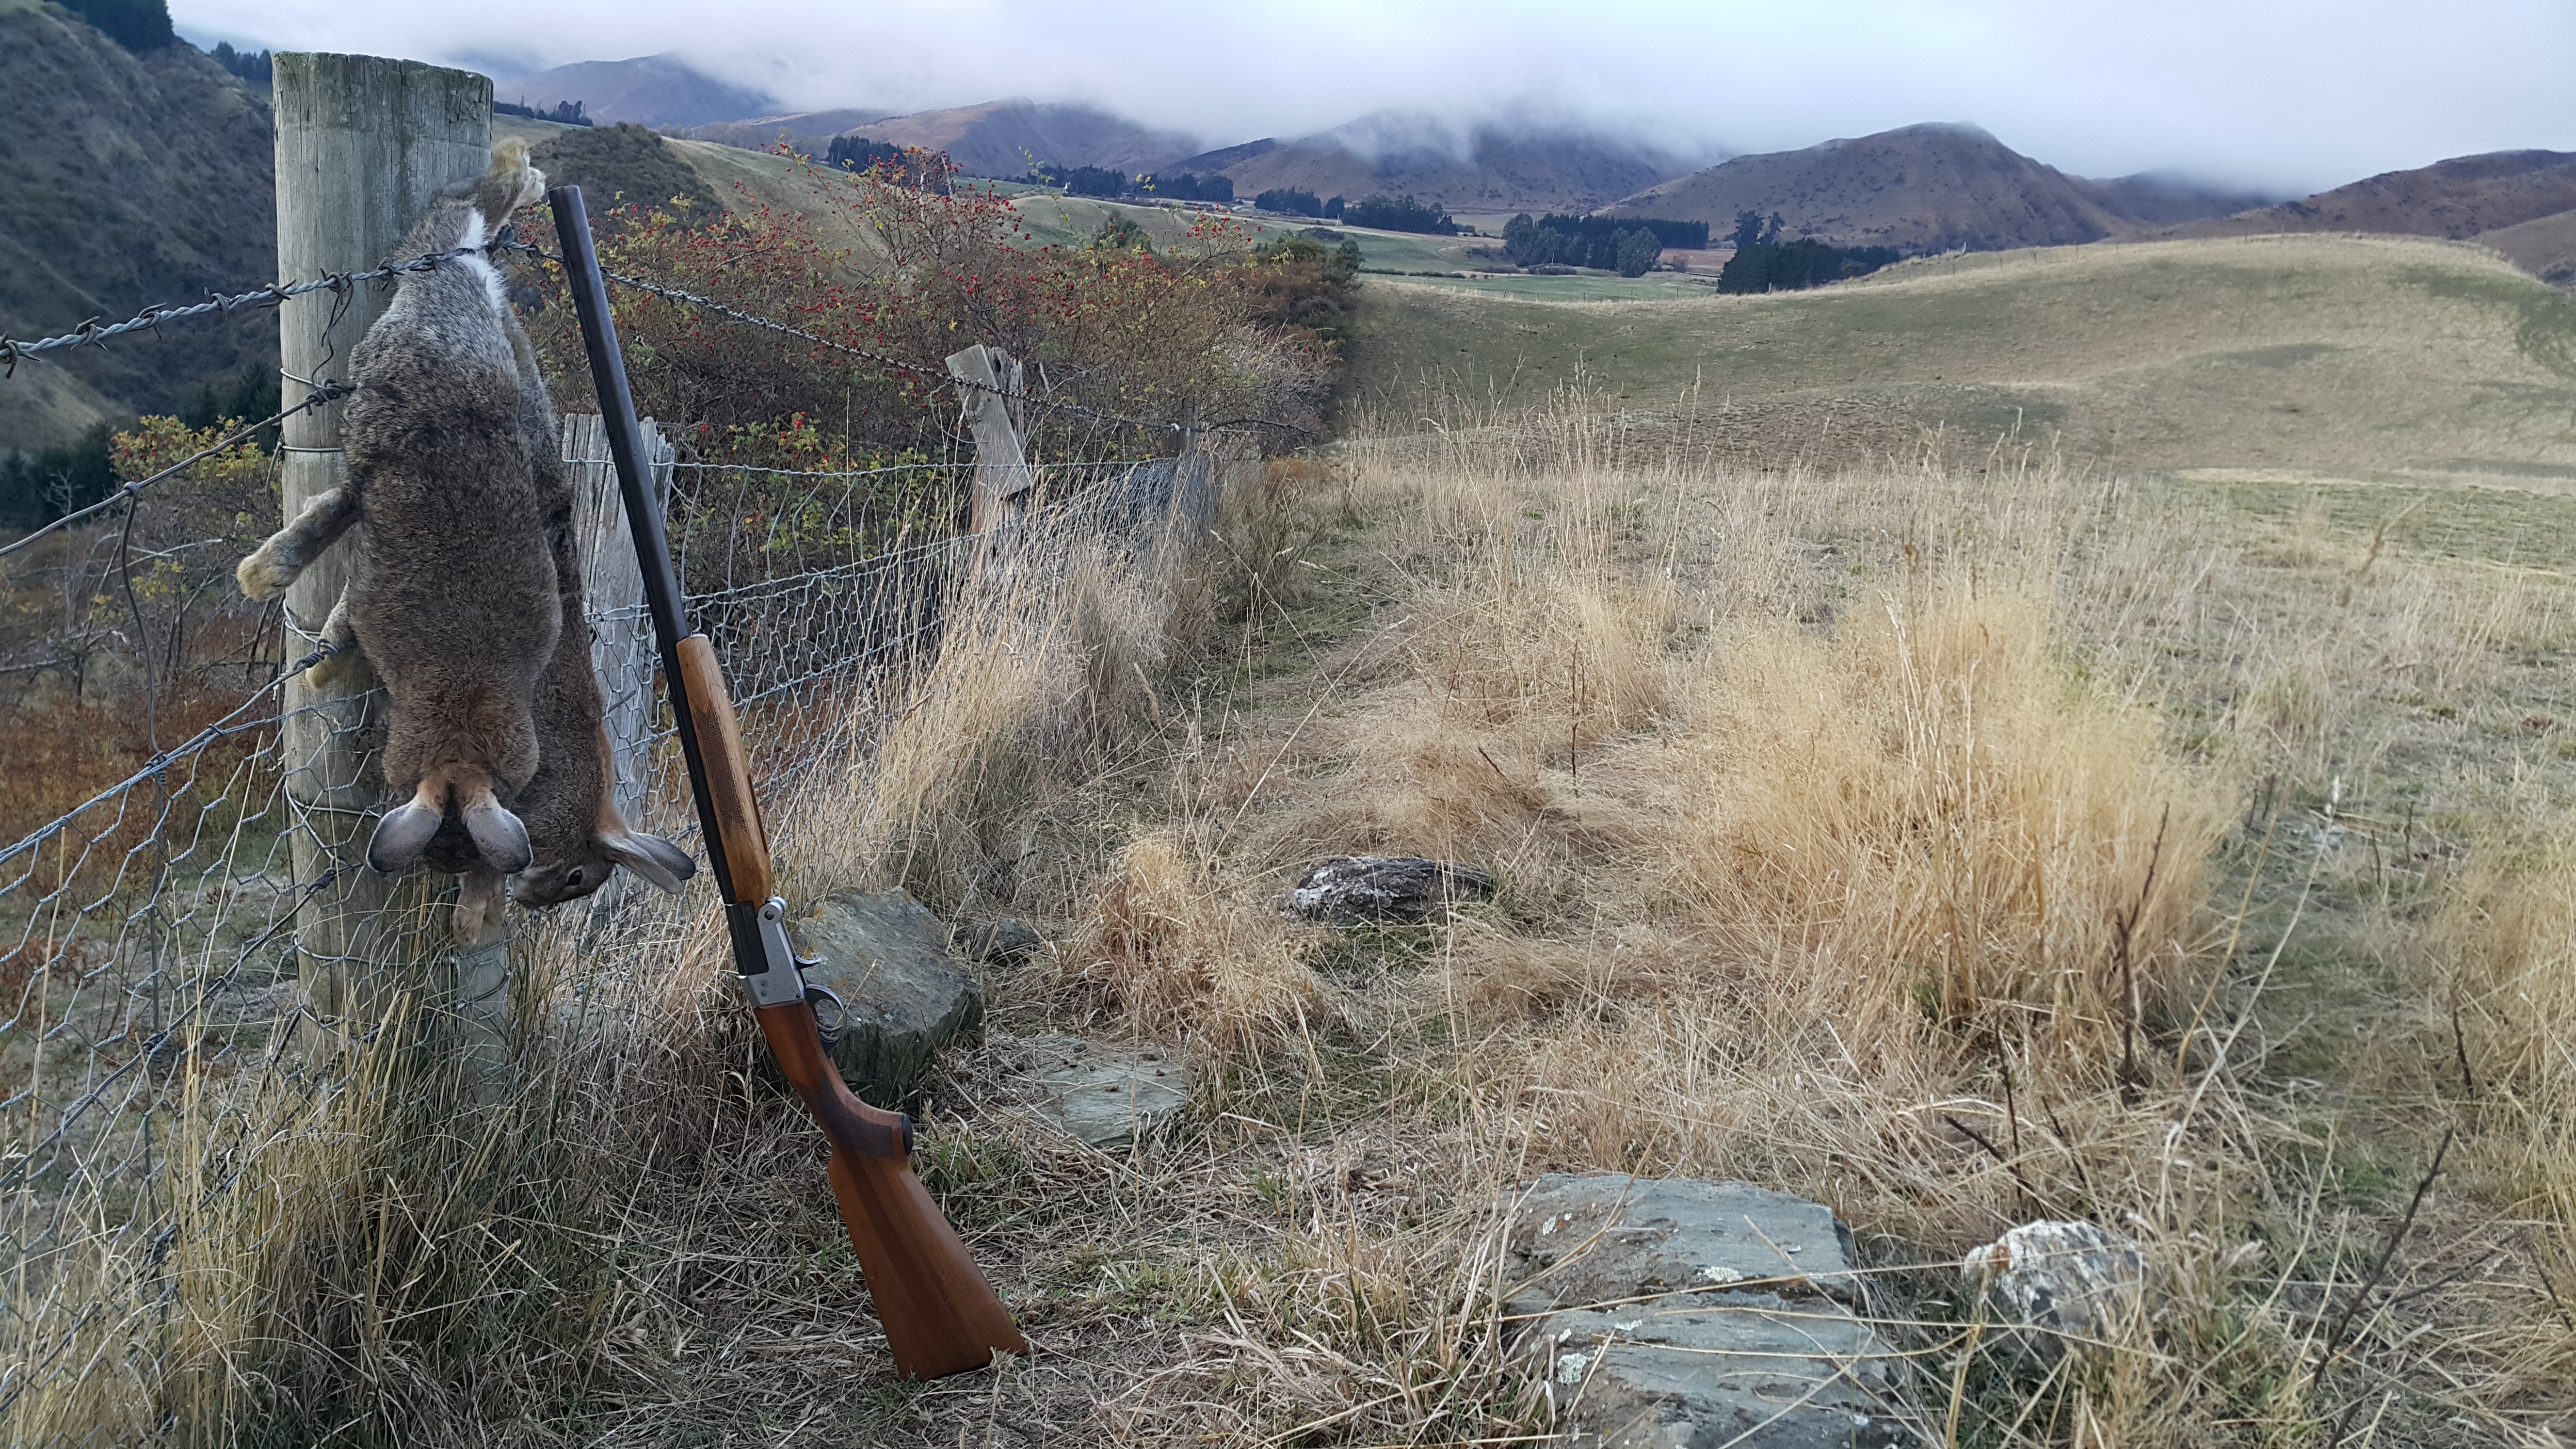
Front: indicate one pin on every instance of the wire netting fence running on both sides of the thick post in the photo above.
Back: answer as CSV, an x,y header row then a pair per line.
x,y
184,955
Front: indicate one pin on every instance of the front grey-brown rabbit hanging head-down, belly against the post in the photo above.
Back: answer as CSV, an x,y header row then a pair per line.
x,y
455,589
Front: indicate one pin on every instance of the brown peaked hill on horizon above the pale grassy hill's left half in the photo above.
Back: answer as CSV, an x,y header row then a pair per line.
x,y
1928,190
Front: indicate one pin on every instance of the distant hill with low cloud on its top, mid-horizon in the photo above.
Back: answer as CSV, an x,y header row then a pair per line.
x,y
1485,171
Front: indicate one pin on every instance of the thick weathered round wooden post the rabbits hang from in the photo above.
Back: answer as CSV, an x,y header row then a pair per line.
x,y
362,148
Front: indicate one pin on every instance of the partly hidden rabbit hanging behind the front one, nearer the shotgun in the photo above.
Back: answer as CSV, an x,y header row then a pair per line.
x,y
576,831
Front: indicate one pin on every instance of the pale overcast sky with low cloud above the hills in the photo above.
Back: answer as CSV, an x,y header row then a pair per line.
x,y
2286,94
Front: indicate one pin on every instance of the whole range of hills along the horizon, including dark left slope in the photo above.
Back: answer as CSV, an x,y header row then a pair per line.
x,y
133,179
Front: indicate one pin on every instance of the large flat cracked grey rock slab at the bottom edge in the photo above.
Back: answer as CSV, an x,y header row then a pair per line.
x,y
1689,1316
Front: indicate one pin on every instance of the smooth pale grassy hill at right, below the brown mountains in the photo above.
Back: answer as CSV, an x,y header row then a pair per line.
x,y
2369,357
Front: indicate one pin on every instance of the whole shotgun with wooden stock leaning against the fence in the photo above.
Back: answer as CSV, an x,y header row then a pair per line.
x,y
931,1298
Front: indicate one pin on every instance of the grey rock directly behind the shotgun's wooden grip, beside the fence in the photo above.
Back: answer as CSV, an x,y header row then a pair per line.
x,y
903,994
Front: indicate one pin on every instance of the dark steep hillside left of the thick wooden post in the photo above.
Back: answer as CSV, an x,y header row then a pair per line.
x,y
125,179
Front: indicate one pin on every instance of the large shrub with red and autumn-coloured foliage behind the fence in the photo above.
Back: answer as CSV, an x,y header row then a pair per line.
x,y
1114,329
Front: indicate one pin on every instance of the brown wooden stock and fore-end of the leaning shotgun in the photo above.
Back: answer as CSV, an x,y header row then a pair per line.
x,y
936,1306
